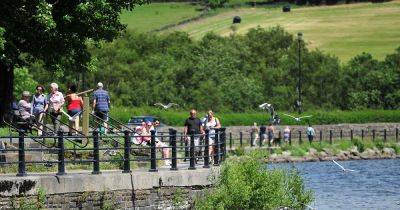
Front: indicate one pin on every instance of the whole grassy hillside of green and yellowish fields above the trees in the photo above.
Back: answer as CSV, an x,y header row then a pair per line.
x,y
343,30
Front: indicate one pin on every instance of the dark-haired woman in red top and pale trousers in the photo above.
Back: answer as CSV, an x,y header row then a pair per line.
x,y
74,107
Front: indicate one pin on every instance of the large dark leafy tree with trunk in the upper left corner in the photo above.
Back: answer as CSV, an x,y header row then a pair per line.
x,y
54,32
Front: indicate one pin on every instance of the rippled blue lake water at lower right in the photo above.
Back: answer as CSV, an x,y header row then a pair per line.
x,y
375,185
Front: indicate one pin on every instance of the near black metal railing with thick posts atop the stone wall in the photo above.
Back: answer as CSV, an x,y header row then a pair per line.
x,y
196,149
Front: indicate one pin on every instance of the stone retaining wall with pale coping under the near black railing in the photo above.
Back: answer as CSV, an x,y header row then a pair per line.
x,y
111,190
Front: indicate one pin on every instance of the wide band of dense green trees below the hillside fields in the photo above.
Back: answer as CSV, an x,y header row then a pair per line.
x,y
238,72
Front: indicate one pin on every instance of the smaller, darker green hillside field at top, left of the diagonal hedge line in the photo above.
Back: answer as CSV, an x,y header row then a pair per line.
x,y
156,15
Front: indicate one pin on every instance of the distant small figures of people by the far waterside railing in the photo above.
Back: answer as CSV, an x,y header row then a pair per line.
x,y
270,134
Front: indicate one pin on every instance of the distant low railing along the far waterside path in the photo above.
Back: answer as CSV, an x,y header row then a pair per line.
x,y
263,139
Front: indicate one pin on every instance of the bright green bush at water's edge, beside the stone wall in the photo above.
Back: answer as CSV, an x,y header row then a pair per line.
x,y
244,183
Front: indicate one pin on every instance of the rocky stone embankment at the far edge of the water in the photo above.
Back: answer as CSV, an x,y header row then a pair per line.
x,y
327,155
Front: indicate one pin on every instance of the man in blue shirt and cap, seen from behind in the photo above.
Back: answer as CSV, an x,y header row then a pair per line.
x,y
101,104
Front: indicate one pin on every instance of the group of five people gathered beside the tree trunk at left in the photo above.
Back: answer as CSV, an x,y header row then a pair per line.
x,y
32,109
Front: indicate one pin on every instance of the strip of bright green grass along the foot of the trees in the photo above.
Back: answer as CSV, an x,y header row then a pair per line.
x,y
177,117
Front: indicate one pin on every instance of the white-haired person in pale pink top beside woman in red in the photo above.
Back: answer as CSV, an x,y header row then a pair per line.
x,y
56,101
